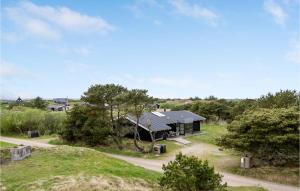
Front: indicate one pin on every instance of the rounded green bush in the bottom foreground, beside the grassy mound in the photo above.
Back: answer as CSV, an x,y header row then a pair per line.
x,y
190,174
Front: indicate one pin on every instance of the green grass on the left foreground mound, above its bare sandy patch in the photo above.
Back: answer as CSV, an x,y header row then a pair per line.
x,y
44,164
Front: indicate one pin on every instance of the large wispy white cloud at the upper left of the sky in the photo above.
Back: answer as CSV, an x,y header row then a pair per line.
x,y
50,22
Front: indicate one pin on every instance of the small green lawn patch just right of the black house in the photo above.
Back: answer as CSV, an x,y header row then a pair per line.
x,y
209,133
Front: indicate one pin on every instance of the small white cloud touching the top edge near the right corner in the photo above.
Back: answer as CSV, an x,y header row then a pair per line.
x,y
276,11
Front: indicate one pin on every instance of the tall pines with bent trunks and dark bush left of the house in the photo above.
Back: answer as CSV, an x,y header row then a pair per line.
x,y
102,116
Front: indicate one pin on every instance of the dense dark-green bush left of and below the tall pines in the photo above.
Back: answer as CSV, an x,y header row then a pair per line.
x,y
86,124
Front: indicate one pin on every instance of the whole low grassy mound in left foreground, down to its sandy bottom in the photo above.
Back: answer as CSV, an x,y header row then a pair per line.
x,y
48,168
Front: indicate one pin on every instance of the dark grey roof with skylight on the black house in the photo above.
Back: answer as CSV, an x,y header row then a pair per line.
x,y
159,120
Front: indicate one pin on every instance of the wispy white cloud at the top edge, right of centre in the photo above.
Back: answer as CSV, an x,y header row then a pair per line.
x,y
194,10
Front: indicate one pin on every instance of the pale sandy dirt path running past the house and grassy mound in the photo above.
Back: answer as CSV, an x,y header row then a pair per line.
x,y
155,164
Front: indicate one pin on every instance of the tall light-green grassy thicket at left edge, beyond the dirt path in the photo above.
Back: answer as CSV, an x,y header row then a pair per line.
x,y
20,120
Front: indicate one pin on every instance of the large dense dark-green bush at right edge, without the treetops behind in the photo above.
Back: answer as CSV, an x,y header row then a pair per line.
x,y
270,135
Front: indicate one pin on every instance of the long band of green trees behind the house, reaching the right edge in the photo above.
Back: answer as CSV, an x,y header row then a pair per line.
x,y
216,110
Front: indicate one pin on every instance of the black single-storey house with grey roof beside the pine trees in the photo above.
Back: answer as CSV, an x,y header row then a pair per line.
x,y
167,124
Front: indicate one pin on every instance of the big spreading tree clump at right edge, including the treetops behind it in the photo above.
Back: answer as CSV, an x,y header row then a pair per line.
x,y
267,130
